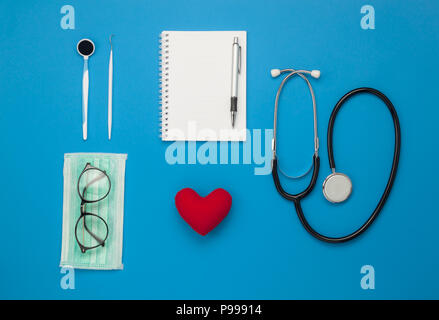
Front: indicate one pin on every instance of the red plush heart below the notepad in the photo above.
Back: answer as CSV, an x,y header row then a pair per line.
x,y
203,214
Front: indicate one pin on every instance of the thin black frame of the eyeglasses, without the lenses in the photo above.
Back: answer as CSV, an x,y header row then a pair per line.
x,y
84,213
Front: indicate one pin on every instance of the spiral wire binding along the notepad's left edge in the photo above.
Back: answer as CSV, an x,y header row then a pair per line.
x,y
164,83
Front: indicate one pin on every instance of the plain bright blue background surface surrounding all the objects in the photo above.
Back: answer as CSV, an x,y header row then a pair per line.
x,y
260,251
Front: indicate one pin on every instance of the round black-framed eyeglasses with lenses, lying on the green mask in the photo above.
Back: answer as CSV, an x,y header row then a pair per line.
x,y
91,230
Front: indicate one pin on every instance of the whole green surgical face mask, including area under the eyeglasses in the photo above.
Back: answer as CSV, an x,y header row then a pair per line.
x,y
92,234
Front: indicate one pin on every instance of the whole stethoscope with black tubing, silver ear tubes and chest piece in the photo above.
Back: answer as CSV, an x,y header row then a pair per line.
x,y
337,187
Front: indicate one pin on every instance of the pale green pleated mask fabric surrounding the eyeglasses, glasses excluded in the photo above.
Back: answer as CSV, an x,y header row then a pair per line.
x,y
110,209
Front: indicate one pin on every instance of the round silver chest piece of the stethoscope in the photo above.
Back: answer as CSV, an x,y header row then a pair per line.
x,y
337,187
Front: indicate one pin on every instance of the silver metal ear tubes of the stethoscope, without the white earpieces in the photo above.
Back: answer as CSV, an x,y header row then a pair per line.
x,y
300,73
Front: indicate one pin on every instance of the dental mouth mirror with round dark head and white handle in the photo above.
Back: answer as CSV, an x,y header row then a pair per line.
x,y
85,48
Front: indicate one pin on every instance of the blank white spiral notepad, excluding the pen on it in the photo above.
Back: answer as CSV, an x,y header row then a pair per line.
x,y
195,89
